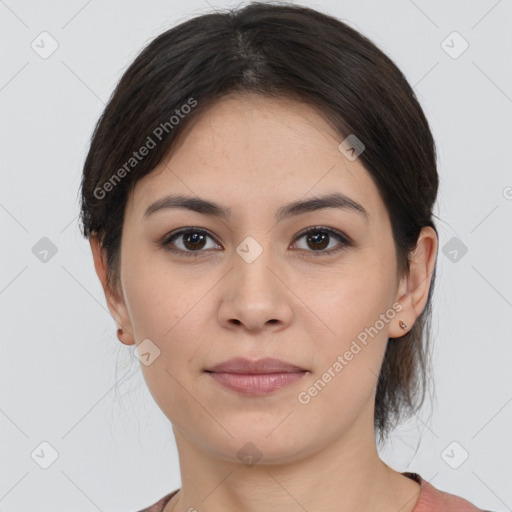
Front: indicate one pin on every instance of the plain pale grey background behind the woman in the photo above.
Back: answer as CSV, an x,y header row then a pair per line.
x,y
65,378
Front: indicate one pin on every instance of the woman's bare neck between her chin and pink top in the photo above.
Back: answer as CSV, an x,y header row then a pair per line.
x,y
345,476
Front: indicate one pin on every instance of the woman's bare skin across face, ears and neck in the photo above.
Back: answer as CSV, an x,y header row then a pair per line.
x,y
254,154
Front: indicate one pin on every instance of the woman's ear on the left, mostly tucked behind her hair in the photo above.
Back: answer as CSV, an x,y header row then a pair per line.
x,y
115,299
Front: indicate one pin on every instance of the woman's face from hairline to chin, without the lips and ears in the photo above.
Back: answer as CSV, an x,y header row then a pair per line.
x,y
253,284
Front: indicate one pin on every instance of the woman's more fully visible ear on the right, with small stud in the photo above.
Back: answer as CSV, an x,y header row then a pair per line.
x,y
413,289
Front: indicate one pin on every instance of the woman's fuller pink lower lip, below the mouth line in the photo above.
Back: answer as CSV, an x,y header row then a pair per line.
x,y
256,384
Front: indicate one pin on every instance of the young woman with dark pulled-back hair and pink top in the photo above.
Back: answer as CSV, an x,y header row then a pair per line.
x,y
258,198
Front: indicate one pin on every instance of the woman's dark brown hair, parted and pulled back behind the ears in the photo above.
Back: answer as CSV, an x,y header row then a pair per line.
x,y
276,50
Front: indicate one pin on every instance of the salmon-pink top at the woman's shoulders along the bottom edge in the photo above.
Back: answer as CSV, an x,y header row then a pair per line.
x,y
430,500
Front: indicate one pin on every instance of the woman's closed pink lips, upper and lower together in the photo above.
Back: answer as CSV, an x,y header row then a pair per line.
x,y
257,377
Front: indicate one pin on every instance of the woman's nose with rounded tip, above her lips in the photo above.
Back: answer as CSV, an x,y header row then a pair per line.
x,y
255,295
